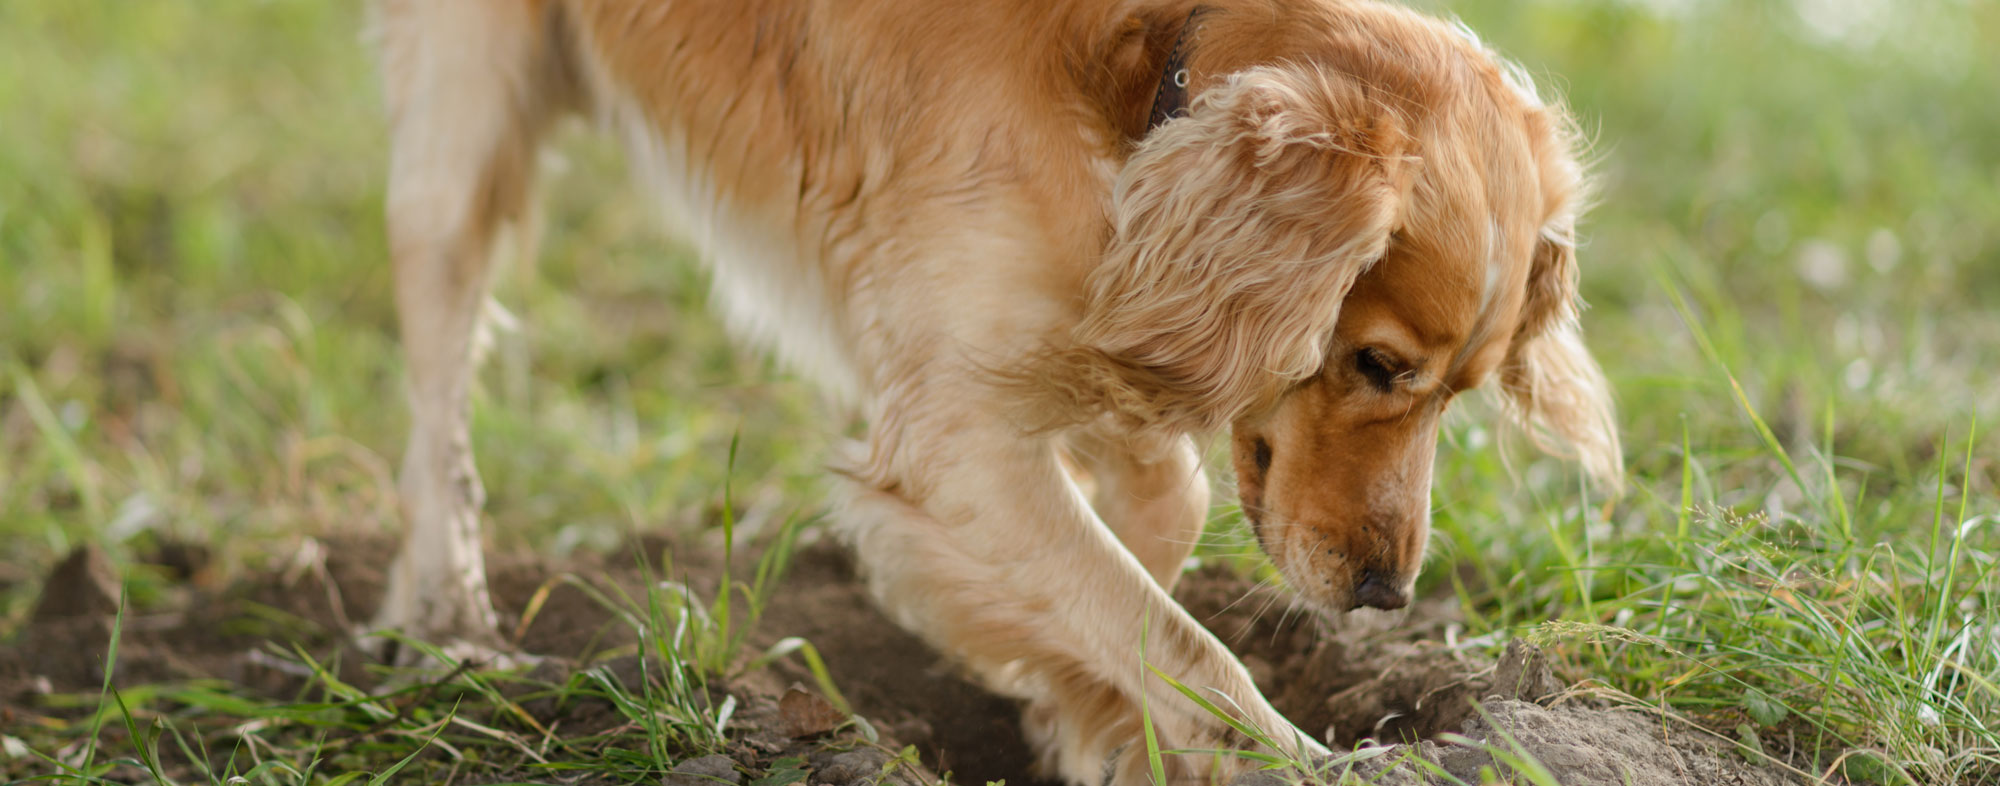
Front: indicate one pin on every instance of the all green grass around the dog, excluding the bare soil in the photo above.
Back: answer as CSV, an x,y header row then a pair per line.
x,y
1793,277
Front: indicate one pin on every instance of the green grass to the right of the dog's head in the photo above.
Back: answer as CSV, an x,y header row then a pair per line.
x,y
1793,275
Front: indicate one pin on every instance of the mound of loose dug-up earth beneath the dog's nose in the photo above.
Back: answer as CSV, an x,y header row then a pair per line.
x,y
1397,685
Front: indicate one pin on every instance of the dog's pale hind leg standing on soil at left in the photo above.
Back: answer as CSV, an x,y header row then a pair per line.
x,y
469,93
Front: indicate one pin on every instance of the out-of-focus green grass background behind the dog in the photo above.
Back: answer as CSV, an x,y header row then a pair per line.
x,y
1799,217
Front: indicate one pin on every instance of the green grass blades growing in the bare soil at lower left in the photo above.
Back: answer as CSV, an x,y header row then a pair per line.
x,y
453,721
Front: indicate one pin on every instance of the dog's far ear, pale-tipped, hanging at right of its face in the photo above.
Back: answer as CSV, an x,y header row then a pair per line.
x,y
1555,387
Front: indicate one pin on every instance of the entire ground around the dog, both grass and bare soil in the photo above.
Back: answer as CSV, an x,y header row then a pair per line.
x,y
1791,263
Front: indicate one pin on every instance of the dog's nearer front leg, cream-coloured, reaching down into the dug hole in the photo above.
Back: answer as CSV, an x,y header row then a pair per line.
x,y
977,539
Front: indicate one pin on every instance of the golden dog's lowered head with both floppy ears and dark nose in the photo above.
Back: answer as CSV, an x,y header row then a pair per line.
x,y
1321,255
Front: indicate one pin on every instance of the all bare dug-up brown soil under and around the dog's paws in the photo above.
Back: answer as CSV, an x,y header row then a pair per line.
x,y
1387,679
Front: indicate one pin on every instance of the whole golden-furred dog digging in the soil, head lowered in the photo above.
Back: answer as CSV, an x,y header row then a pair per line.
x,y
1041,247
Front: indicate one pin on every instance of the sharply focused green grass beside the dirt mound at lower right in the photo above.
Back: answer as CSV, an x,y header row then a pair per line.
x,y
1865,661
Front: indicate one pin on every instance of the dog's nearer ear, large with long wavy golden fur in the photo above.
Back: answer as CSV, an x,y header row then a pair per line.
x,y
1237,235
